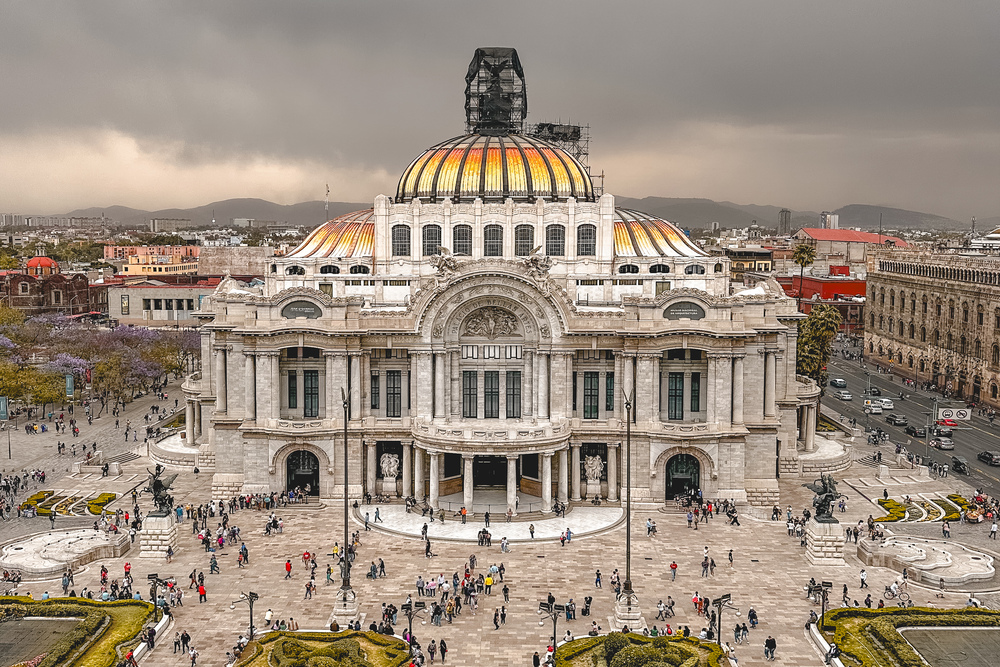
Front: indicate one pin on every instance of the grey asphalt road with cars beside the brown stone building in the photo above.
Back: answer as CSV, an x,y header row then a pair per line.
x,y
971,437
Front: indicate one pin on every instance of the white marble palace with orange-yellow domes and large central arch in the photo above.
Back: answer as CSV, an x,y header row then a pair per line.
x,y
477,334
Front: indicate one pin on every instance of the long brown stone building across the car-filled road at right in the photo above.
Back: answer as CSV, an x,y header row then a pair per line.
x,y
935,317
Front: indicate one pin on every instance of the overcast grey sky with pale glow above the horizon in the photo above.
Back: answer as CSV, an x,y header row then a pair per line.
x,y
810,105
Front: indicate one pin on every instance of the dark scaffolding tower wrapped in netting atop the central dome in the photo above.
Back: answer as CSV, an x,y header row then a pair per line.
x,y
496,102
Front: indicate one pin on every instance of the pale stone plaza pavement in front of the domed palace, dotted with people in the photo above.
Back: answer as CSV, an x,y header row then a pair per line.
x,y
769,573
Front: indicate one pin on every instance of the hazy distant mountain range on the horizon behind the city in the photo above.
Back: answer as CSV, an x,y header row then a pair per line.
x,y
686,213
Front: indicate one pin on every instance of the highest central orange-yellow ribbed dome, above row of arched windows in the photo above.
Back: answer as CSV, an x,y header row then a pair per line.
x,y
493,168
